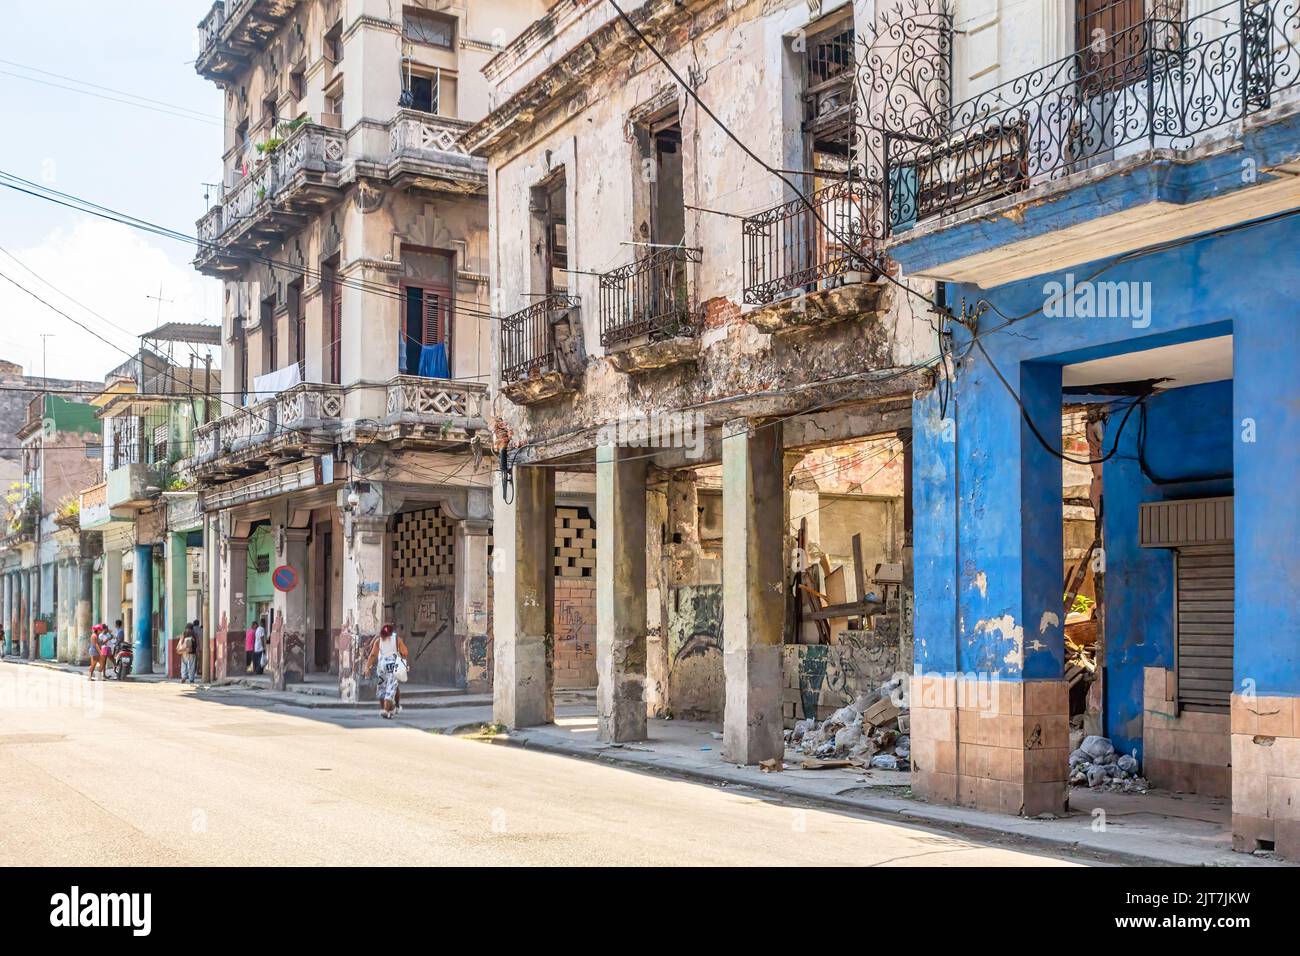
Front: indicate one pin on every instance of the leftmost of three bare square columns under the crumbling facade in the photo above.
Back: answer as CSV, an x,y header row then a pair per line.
x,y
525,599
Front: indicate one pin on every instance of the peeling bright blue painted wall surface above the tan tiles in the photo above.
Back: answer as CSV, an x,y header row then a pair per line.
x,y
987,496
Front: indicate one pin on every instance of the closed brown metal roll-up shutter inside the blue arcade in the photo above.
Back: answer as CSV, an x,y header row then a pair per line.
x,y
1204,628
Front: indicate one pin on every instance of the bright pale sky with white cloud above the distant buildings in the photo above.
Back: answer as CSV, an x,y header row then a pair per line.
x,y
145,162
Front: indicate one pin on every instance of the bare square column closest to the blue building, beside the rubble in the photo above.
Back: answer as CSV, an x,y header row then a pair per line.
x,y
753,590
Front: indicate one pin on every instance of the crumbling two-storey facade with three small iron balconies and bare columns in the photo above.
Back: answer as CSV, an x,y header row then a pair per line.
x,y
694,354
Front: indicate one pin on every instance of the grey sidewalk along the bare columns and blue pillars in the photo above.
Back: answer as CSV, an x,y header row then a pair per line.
x,y
1138,829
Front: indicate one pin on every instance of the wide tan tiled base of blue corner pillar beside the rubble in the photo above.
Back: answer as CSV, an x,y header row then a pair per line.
x,y
991,745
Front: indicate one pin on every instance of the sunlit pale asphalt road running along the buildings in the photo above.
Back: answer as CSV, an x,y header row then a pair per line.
x,y
151,775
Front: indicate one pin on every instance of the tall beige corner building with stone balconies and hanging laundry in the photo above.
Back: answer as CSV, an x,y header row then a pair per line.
x,y
353,445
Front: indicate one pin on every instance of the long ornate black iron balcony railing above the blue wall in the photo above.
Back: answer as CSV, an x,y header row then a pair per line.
x,y
1162,84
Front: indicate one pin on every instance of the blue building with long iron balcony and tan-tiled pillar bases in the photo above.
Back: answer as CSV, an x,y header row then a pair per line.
x,y
1110,189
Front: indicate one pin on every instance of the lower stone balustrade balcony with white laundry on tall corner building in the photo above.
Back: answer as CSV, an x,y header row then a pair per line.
x,y
311,419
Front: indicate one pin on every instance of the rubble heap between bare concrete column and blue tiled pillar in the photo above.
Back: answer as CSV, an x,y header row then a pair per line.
x,y
870,733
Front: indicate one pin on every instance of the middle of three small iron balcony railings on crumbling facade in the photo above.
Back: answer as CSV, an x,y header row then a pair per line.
x,y
649,299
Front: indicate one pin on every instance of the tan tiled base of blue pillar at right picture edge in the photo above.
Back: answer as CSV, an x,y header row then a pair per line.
x,y
1267,775
